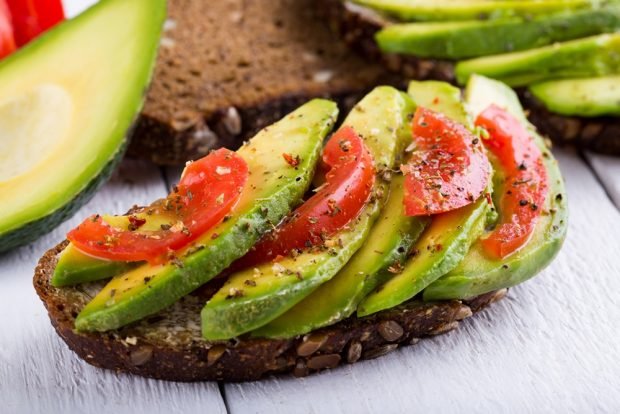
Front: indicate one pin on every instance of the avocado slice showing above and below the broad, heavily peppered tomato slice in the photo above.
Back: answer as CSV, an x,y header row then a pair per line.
x,y
447,239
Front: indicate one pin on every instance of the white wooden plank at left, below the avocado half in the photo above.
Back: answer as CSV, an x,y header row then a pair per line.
x,y
38,373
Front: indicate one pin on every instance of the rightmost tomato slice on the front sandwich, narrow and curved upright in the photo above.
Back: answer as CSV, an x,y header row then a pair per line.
x,y
525,184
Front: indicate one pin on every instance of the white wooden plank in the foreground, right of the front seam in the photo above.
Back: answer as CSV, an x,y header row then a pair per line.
x,y
551,346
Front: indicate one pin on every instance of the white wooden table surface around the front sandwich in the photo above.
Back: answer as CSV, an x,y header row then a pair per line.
x,y
551,346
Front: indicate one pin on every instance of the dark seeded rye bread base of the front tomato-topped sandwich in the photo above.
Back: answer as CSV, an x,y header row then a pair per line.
x,y
169,345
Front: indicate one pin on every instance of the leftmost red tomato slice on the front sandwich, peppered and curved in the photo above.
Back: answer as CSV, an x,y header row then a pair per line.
x,y
208,190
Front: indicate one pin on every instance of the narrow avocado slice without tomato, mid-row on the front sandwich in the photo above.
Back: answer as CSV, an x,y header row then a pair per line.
x,y
387,246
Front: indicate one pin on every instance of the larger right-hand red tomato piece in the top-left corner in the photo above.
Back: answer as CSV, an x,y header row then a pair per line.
x,y
33,17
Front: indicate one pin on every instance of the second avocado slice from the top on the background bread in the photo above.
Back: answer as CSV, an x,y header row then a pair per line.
x,y
468,39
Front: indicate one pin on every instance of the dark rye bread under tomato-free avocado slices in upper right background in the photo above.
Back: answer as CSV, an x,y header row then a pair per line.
x,y
357,26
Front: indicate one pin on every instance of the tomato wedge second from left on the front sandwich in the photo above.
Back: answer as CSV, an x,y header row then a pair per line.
x,y
348,185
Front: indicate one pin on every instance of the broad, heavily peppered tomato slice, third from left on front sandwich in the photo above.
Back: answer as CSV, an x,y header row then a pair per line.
x,y
449,168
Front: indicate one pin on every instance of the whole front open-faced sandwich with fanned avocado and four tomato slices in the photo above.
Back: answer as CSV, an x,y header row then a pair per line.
x,y
307,249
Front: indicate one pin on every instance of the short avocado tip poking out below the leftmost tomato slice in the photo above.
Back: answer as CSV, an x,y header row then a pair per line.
x,y
75,267
